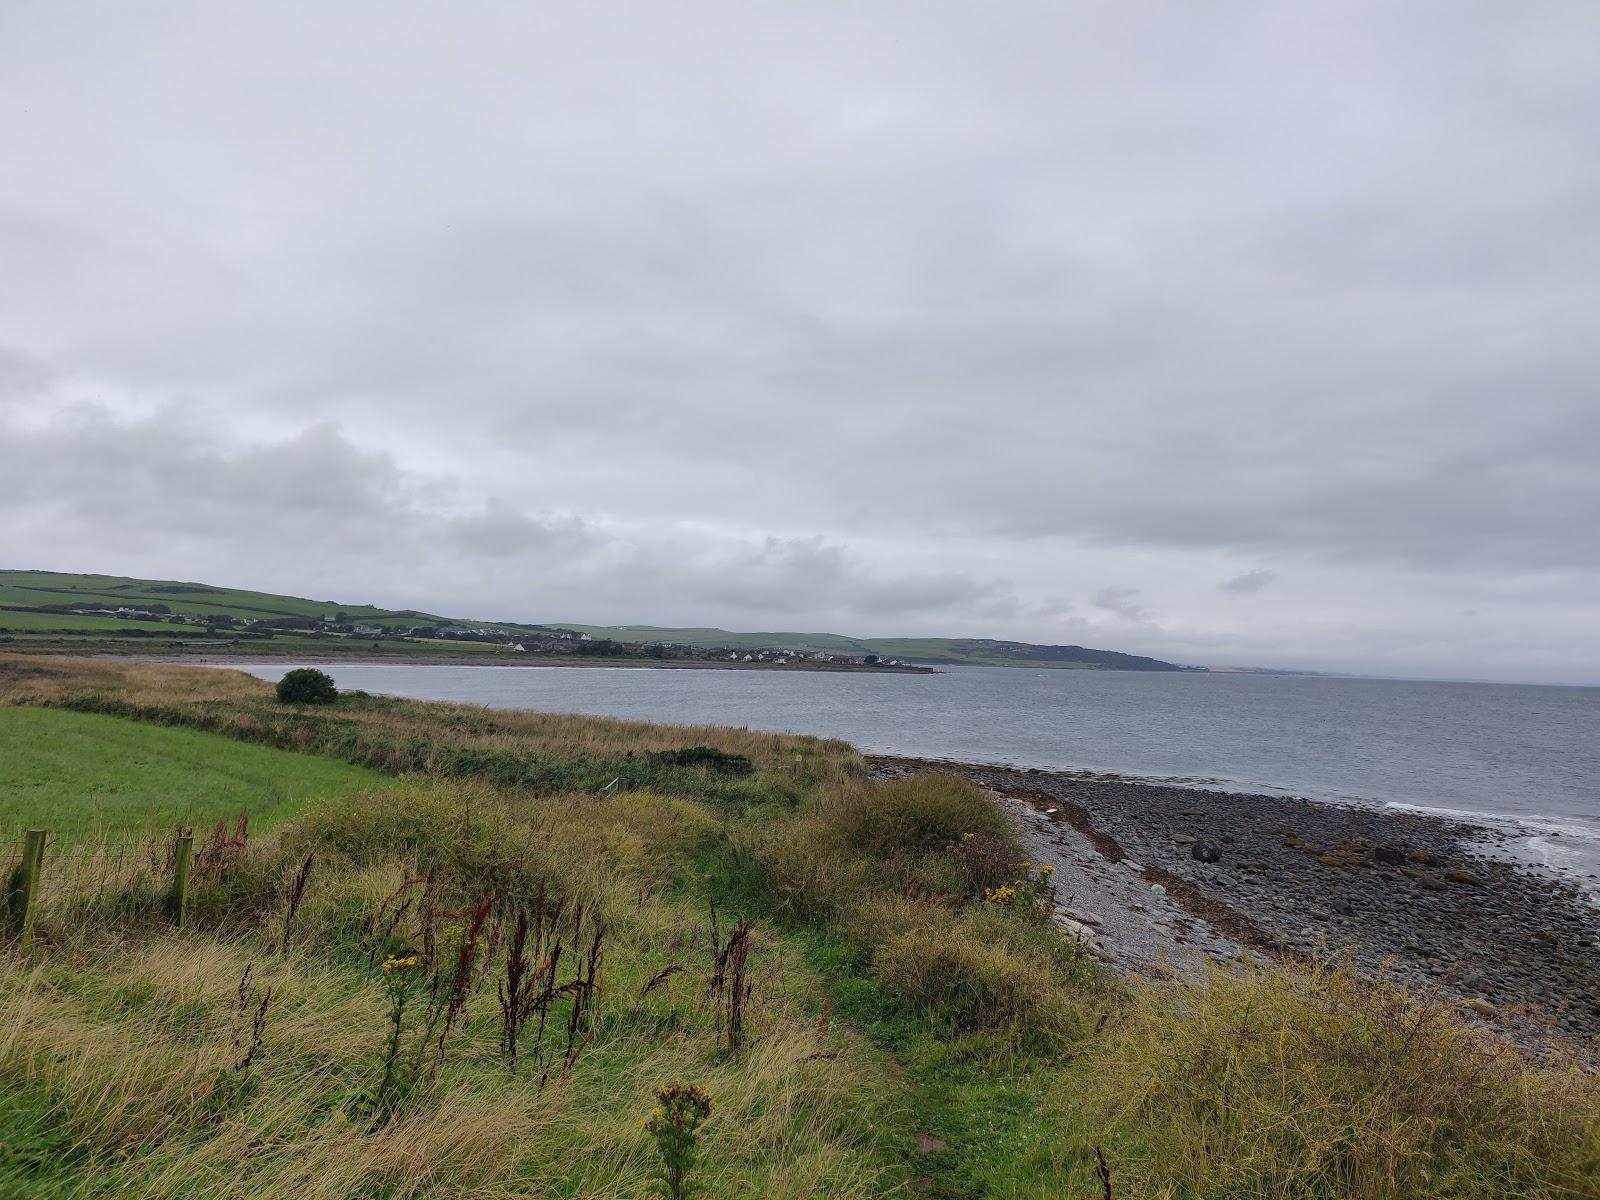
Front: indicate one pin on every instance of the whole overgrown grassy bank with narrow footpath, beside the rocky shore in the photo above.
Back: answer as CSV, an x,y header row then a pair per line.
x,y
881,1006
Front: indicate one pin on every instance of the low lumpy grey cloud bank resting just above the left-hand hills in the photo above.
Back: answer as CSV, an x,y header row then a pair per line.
x,y
330,508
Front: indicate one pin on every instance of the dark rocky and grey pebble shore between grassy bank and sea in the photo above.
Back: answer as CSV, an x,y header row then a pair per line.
x,y
1174,878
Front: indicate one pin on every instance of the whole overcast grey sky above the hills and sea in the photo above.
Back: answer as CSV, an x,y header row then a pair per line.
x,y
1231,334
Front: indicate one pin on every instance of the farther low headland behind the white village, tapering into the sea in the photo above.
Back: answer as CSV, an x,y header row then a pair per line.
x,y
932,650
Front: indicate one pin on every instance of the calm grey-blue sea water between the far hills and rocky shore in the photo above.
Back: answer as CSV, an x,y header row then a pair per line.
x,y
1527,758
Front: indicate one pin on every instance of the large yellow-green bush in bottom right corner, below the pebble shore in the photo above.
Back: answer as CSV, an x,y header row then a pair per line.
x,y
1294,1082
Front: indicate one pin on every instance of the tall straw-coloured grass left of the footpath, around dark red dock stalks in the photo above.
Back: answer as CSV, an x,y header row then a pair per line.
x,y
127,1033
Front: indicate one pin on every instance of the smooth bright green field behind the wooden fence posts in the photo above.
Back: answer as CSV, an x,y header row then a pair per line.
x,y
79,774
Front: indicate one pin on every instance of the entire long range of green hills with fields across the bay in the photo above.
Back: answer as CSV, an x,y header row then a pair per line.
x,y
39,602
